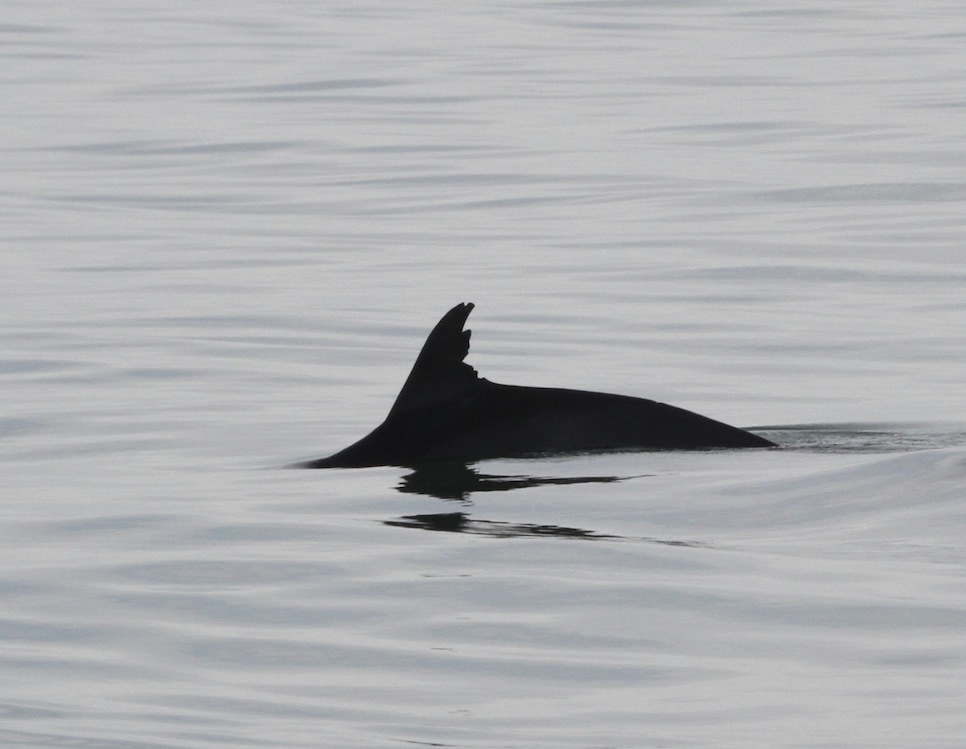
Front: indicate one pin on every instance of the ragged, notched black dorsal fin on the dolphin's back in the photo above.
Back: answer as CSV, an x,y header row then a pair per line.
x,y
439,371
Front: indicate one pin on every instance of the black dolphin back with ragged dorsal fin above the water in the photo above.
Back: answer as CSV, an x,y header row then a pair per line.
x,y
447,412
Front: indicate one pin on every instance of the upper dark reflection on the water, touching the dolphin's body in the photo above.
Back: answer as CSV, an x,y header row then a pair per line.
x,y
458,481
